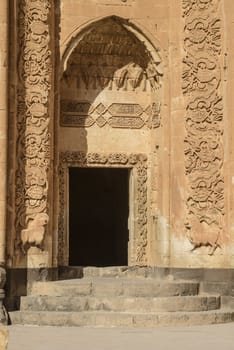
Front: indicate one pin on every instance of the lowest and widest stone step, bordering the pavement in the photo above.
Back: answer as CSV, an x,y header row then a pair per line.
x,y
120,319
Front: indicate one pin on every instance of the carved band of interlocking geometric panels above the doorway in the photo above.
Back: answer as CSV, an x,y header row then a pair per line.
x,y
117,115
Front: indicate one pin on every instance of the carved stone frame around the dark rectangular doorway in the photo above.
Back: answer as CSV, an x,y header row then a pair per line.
x,y
138,219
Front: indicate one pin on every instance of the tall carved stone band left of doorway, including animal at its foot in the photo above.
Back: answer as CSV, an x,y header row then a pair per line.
x,y
33,148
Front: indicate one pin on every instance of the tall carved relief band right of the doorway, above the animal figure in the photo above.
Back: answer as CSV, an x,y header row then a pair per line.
x,y
204,123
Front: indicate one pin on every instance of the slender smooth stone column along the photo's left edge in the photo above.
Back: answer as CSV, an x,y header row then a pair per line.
x,y
3,147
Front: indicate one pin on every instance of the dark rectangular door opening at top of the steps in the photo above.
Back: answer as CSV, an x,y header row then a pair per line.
x,y
98,216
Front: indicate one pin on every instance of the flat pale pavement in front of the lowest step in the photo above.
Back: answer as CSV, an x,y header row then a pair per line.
x,y
214,337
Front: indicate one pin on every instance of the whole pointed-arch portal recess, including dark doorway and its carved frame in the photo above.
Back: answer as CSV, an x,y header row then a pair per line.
x,y
109,116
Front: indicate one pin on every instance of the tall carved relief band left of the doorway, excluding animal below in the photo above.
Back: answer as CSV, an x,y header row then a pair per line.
x,y
34,83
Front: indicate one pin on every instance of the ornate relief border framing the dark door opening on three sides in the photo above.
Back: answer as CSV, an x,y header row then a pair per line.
x,y
138,162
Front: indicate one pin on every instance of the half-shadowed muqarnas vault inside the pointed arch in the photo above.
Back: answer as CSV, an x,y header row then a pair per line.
x,y
109,56
